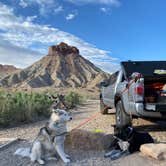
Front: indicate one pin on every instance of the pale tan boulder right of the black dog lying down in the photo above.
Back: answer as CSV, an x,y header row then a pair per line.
x,y
156,151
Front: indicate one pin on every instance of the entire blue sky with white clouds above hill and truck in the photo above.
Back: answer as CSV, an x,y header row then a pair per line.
x,y
105,31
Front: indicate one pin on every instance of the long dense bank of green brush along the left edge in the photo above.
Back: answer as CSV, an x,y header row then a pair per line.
x,y
22,107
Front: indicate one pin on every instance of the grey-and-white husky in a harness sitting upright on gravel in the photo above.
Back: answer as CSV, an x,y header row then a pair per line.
x,y
50,139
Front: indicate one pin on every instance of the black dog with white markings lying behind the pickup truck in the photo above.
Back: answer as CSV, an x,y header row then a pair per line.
x,y
126,141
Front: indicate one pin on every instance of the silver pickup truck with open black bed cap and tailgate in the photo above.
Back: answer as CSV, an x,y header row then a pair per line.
x,y
137,89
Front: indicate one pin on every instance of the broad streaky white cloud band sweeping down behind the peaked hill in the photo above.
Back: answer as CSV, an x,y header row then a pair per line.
x,y
22,34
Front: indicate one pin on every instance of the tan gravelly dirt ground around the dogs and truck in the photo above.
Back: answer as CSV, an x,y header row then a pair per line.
x,y
101,123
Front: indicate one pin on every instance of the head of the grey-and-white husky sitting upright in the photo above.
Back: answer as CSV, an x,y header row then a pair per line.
x,y
60,115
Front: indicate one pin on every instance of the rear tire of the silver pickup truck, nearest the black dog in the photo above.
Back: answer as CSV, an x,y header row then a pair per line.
x,y
122,119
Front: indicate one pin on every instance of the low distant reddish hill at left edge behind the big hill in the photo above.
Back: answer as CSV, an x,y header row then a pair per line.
x,y
6,70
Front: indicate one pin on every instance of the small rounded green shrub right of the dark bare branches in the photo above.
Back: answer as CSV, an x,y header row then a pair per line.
x,y
72,99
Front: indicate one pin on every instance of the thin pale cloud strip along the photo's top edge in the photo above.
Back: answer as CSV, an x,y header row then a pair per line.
x,y
106,2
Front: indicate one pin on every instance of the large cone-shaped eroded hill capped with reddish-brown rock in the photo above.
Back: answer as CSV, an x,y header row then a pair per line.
x,y
62,67
